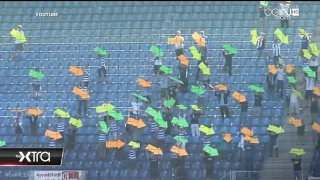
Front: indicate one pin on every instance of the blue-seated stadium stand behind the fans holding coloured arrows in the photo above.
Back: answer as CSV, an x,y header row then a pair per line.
x,y
126,30
